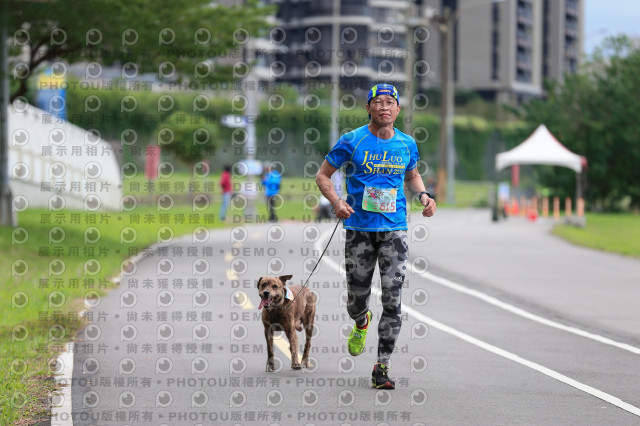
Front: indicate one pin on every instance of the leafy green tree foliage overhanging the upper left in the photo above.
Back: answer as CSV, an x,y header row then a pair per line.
x,y
178,40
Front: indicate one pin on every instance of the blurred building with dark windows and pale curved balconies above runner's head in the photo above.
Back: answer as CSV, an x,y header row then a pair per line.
x,y
372,41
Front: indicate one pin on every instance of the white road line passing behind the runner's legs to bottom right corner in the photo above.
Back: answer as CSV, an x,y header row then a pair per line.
x,y
501,352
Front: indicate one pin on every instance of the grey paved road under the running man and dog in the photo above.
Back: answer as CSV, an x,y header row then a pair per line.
x,y
504,324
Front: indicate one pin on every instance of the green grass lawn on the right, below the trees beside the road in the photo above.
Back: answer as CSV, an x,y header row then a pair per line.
x,y
615,233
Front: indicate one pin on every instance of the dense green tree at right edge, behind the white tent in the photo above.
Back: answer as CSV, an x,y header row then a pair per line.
x,y
594,113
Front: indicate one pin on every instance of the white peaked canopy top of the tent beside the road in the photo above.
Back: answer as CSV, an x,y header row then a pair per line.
x,y
541,148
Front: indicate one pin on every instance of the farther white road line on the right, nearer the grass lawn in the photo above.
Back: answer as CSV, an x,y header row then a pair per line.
x,y
525,314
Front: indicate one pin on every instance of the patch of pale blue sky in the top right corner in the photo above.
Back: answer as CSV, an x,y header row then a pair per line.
x,y
604,18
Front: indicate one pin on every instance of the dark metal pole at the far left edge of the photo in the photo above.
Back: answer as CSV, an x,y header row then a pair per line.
x,y
7,218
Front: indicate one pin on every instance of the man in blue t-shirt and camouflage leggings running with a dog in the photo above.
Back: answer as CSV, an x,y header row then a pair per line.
x,y
379,160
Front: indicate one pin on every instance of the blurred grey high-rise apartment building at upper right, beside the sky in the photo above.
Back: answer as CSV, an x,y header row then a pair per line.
x,y
505,50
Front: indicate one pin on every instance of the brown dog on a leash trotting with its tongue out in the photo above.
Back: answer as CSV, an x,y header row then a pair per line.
x,y
282,313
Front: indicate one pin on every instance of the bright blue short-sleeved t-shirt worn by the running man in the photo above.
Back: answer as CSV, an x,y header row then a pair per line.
x,y
377,166
